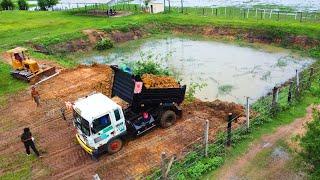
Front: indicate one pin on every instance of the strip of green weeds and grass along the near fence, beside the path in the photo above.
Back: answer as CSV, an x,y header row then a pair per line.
x,y
194,165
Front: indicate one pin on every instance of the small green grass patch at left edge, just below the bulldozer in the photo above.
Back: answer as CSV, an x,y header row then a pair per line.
x,y
7,83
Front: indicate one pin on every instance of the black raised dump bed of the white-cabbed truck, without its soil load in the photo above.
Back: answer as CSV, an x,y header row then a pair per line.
x,y
124,86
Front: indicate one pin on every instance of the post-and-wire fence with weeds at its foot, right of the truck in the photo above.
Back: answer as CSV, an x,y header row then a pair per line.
x,y
213,149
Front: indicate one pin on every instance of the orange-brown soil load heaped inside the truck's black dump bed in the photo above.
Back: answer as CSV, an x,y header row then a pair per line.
x,y
153,81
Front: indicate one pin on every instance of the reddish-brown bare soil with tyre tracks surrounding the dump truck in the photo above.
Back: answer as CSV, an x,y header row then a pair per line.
x,y
64,158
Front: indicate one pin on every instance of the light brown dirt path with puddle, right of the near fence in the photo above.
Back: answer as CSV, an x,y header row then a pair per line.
x,y
265,159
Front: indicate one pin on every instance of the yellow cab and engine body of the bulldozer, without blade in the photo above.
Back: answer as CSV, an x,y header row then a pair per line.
x,y
21,61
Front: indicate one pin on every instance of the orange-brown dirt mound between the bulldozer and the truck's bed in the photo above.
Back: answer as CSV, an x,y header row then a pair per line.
x,y
78,82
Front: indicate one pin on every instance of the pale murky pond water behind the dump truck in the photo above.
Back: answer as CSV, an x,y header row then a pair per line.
x,y
230,72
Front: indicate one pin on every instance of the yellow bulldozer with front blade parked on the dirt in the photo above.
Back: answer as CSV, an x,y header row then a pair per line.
x,y
28,69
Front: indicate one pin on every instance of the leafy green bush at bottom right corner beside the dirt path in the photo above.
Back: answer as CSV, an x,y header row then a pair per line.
x,y
310,144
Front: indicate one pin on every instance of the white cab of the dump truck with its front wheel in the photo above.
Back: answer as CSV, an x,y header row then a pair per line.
x,y
100,123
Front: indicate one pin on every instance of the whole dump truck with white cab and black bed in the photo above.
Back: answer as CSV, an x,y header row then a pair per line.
x,y
103,123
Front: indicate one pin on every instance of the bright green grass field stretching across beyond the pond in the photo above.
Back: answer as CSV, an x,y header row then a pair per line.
x,y
19,27
